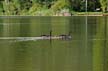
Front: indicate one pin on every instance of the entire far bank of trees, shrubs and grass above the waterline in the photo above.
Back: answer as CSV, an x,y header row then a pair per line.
x,y
53,8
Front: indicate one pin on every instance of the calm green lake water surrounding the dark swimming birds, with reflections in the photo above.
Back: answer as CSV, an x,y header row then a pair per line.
x,y
87,50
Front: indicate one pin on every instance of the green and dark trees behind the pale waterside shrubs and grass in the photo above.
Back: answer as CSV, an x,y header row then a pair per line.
x,y
18,7
